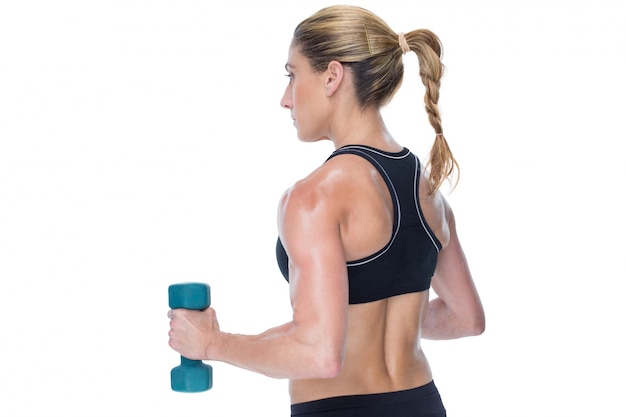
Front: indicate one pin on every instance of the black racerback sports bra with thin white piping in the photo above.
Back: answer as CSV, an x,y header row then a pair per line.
x,y
407,262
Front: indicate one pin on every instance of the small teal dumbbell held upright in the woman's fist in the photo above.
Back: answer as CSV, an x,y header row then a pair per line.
x,y
191,375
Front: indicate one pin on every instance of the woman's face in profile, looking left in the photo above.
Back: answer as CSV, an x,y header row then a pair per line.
x,y
305,96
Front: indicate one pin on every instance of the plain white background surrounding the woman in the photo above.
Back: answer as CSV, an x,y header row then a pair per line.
x,y
142,144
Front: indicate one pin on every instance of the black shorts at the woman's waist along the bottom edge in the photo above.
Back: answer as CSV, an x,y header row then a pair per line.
x,y
423,401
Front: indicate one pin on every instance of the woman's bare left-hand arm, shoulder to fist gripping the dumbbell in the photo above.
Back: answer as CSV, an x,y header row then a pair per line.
x,y
312,345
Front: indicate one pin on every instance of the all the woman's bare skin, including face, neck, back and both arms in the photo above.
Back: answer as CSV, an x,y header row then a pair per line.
x,y
340,212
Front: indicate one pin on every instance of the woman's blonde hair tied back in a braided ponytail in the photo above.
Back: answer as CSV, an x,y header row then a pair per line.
x,y
363,42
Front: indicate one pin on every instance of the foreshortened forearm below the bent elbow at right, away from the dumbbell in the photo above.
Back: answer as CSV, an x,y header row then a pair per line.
x,y
442,323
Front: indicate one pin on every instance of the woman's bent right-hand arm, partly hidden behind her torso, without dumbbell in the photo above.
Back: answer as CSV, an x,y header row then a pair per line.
x,y
457,310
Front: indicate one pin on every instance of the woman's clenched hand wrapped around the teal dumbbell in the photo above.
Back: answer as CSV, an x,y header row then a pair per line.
x,y
193,333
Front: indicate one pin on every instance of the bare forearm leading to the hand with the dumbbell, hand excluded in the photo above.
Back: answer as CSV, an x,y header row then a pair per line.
x,y
278,353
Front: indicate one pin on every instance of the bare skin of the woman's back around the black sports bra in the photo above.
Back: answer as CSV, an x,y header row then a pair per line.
x,y
383,352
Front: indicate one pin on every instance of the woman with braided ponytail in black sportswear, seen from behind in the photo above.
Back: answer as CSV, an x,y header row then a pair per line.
x,y
361,239
